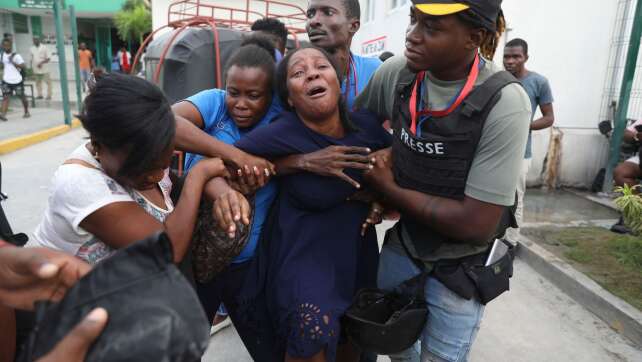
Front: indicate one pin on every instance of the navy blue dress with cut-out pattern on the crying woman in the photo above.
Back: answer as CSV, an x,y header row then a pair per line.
x,y
313,258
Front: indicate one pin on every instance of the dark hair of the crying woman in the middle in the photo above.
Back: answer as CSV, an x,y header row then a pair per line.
x,y
284,93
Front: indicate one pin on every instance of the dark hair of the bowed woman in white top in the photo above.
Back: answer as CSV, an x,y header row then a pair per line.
x,y
124,112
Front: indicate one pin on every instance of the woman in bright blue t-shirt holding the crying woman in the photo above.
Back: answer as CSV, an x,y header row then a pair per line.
x,y
224,117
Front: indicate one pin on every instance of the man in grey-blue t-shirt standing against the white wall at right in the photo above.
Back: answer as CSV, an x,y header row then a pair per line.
x,y
540,94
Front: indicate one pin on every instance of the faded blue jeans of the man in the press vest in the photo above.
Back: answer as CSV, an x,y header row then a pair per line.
x,y
452,324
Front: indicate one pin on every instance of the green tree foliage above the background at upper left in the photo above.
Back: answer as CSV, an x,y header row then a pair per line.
x,y
134,20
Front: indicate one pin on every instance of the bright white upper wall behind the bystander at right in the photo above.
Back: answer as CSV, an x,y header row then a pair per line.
x,y
570,46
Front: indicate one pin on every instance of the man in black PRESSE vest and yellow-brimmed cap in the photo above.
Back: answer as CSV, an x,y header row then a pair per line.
x,y
460,129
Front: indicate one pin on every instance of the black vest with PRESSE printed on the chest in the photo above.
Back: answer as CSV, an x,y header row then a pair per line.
x,y
438,162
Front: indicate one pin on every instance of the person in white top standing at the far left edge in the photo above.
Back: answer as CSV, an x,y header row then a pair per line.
x,y
12,80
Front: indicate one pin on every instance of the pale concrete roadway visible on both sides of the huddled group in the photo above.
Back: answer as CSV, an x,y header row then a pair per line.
x,y
534,322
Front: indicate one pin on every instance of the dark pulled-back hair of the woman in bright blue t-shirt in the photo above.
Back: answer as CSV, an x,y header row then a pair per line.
x,y
255,52
